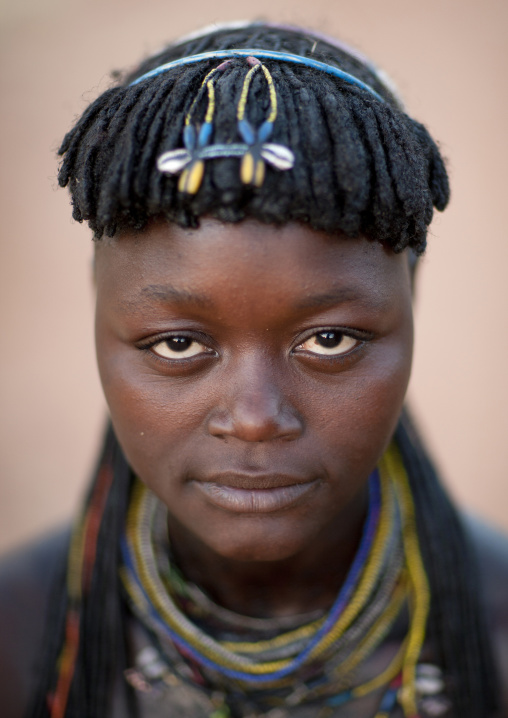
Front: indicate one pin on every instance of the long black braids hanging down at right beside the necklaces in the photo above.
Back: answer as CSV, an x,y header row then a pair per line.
x,y
456,624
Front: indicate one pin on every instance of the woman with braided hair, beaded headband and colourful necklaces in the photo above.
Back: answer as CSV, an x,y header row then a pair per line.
x,y
265,534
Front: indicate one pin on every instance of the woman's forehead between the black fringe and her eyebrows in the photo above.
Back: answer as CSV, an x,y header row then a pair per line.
x,y
228,261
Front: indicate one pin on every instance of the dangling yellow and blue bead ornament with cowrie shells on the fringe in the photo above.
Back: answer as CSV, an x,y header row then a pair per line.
x,y
254,152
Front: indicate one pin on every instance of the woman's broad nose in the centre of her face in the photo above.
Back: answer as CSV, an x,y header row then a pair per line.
x,y
254,408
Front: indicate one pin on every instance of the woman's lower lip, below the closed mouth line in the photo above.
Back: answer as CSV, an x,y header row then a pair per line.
x,y
254,501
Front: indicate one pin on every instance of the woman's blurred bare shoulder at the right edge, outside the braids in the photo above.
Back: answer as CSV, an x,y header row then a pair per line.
x,y
491,550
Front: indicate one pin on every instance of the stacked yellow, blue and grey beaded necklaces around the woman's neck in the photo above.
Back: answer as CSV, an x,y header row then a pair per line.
x,y
318,660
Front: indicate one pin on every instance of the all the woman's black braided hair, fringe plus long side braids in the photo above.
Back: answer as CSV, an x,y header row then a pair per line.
x,y
362,167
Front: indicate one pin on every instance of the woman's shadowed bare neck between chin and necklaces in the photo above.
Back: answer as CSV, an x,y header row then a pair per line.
x,y
299,584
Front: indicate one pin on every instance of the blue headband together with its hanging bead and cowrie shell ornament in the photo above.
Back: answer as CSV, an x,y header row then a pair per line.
x,y
255,150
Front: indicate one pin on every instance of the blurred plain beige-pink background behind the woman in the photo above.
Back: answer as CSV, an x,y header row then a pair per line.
x,y
449,59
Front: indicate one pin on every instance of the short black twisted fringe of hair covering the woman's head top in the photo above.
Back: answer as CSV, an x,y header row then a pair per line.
x,y
362,166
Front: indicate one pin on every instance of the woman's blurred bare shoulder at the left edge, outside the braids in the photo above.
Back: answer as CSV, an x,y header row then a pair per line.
x,y
26,578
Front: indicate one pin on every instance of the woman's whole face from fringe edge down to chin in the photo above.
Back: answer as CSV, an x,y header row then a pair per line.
x,y
254,375
